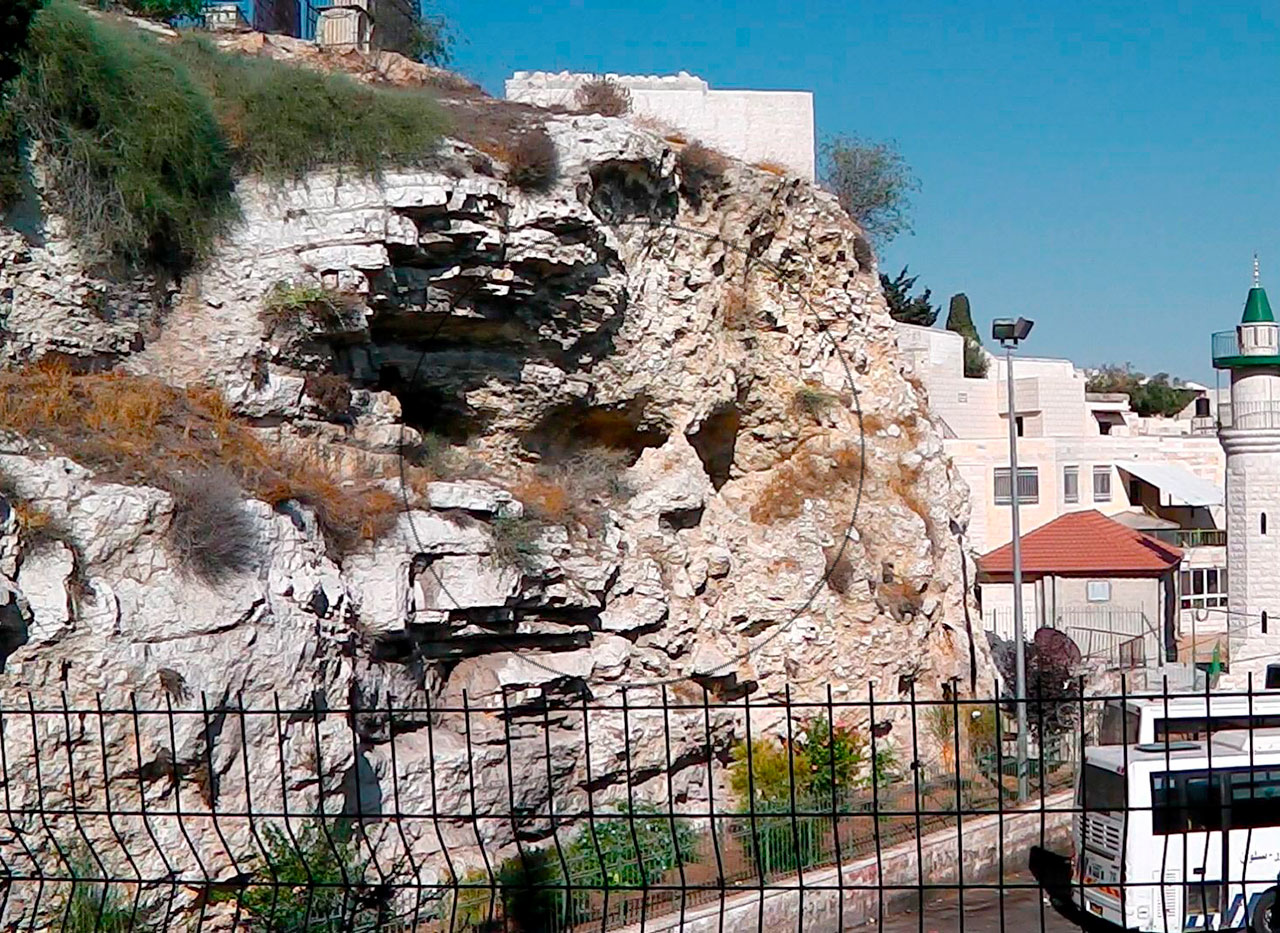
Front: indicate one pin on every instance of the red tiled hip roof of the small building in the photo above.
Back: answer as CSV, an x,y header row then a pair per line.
x,y
1084,545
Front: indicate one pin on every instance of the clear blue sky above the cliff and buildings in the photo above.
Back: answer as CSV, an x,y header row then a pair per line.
x,y
1105,170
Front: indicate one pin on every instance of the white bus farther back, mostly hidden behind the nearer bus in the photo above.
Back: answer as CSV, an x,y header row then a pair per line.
x,y
1183,719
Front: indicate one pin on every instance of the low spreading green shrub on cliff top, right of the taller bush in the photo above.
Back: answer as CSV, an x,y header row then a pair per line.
x,y
284,122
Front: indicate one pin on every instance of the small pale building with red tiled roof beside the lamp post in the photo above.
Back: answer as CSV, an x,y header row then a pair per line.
x,y
1086,566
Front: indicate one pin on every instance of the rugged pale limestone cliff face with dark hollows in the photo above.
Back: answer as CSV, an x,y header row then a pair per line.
x,y
785,514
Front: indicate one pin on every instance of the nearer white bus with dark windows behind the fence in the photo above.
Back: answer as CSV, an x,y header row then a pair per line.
x,y
1181,835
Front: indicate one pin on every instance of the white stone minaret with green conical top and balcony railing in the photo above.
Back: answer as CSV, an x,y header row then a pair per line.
x,y
1251,440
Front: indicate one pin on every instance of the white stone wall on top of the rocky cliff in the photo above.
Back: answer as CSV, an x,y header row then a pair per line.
x,y
752,126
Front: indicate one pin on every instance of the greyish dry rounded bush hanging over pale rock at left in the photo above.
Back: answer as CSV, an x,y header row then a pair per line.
x,y
211,530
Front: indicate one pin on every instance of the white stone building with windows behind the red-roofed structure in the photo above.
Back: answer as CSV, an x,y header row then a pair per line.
x,y
1080,451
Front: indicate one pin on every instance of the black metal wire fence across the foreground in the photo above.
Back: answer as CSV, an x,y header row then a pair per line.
x,y
648,809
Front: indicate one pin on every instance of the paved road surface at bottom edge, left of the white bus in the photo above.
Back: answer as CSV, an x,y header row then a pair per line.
x,y
1025,912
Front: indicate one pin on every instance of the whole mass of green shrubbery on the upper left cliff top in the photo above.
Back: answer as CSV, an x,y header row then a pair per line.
x,y
144,138
